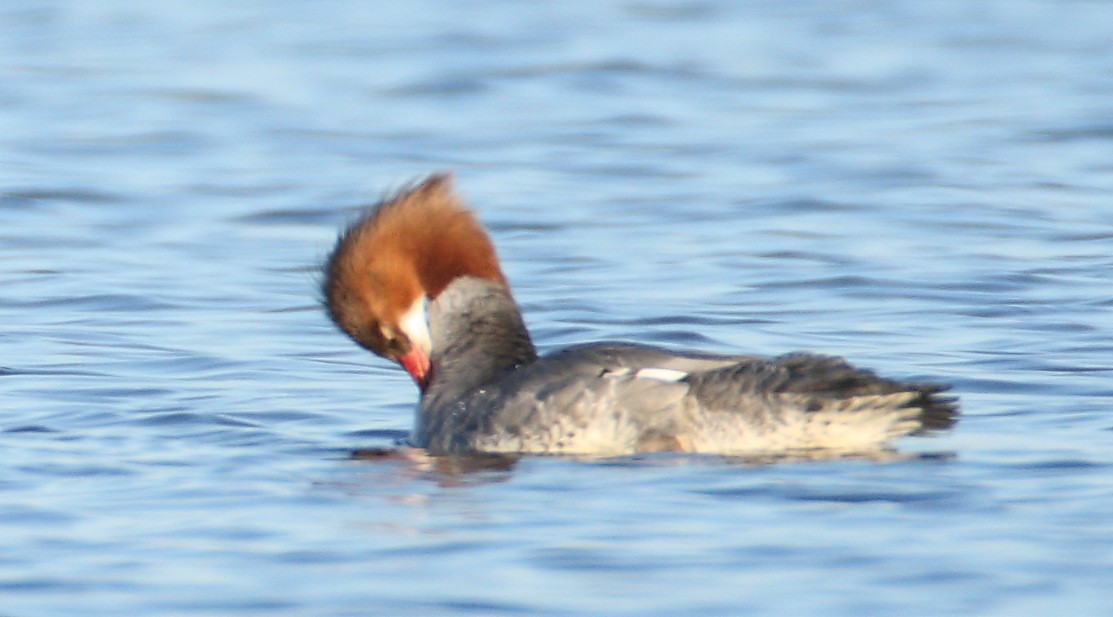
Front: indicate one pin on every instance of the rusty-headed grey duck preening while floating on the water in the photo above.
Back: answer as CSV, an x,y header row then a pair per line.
x,y
417,281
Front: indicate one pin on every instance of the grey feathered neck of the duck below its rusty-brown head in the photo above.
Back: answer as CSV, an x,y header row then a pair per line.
x,y
477,335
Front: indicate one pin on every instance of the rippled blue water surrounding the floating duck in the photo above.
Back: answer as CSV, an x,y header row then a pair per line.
x,y
925,188
